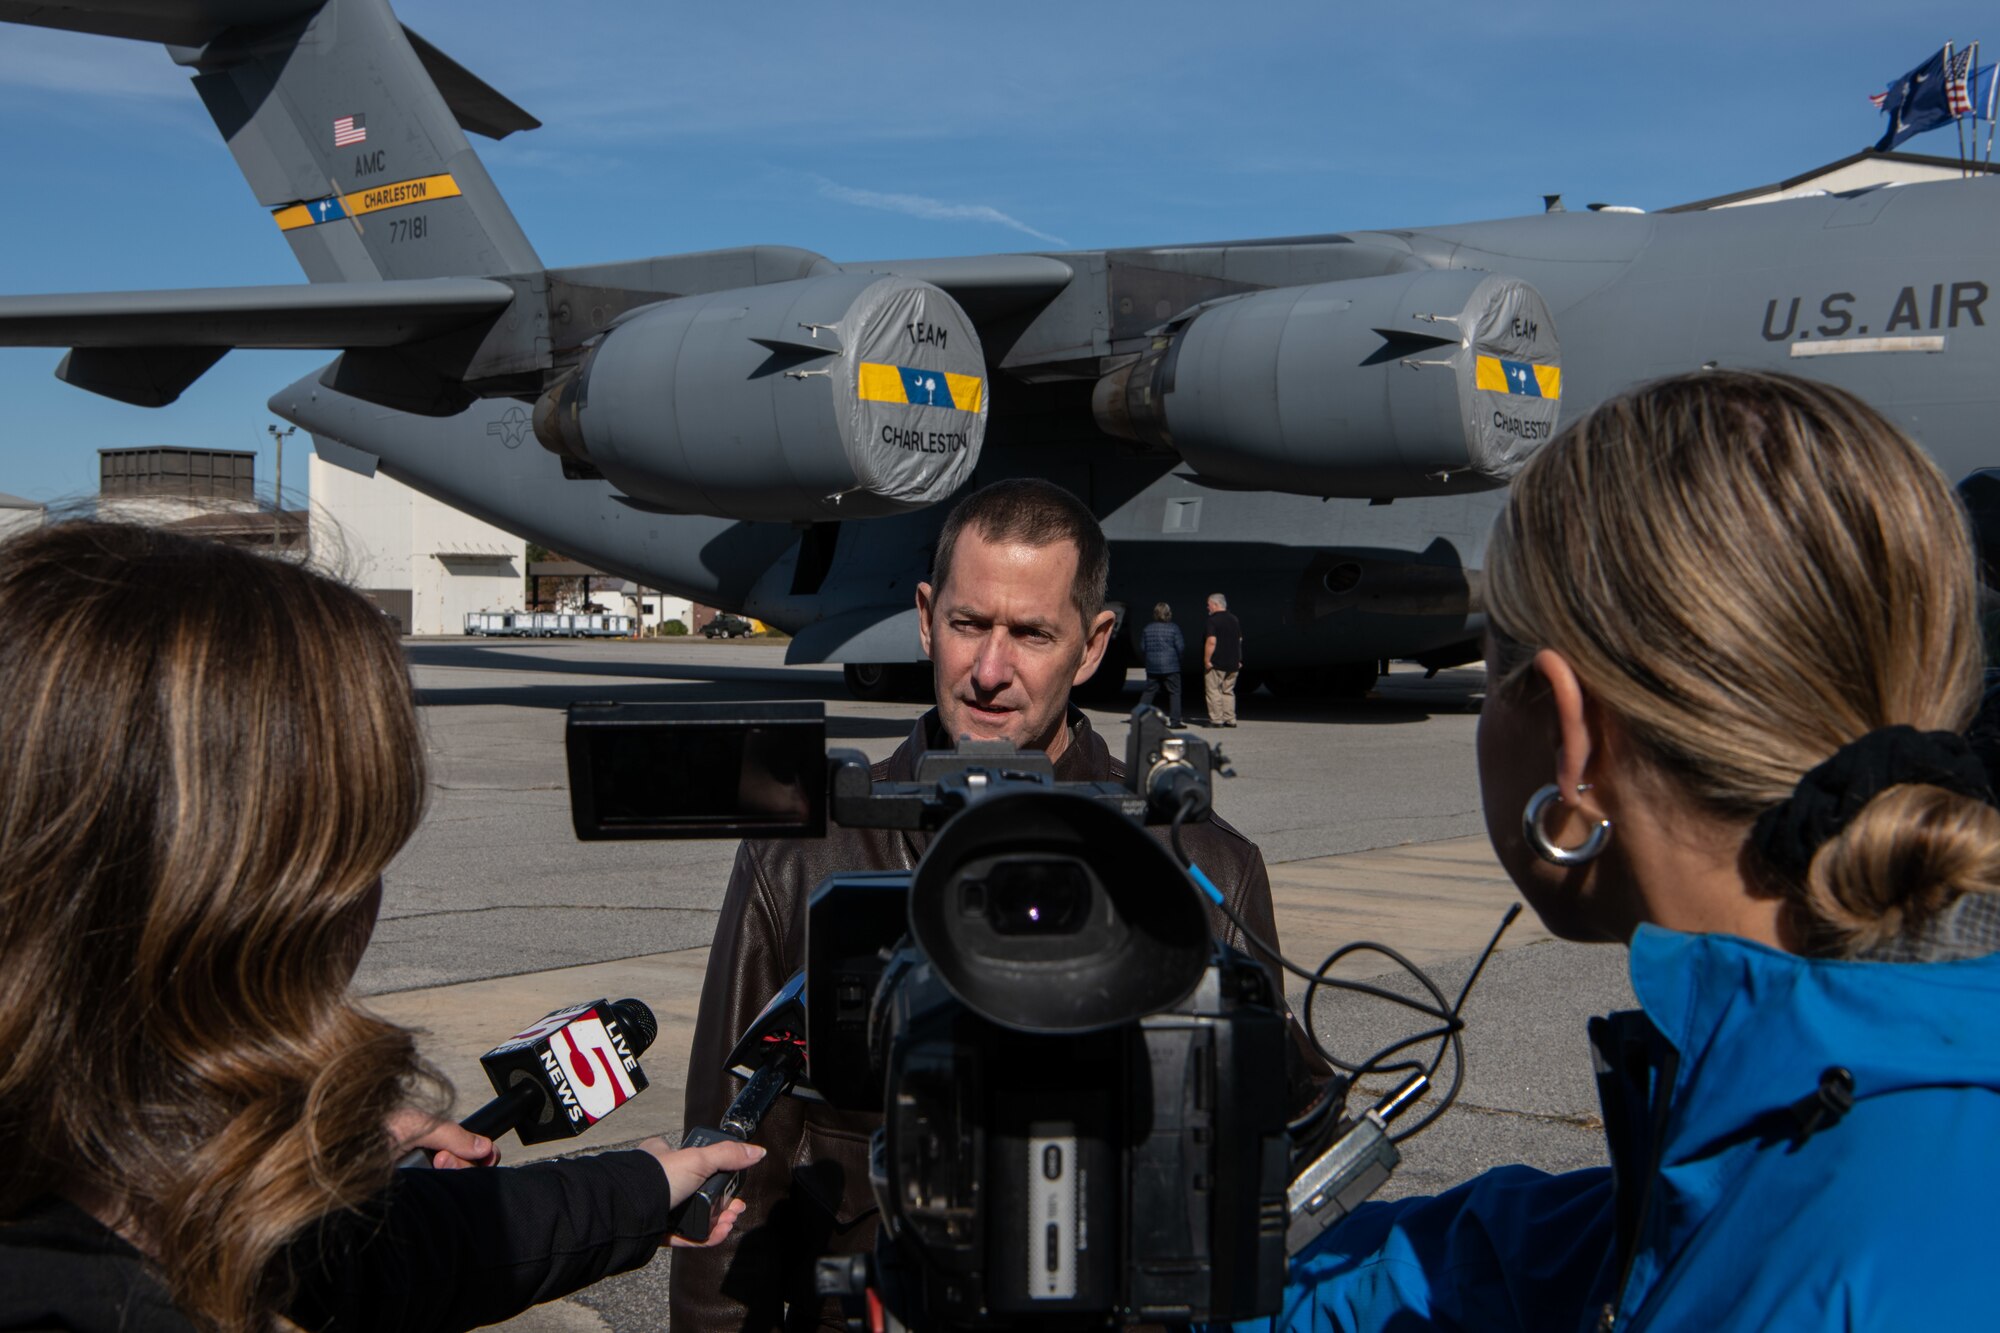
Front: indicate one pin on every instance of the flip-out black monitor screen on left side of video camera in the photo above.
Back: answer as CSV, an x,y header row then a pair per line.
x,y
697,772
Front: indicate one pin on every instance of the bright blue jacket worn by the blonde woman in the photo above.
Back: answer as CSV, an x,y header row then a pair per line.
x,y
1881,1220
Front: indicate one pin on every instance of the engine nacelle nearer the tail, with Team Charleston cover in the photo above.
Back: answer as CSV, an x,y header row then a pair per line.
x,y
835,397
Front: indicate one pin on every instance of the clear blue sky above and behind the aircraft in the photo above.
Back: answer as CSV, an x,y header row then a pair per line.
x,y
889,129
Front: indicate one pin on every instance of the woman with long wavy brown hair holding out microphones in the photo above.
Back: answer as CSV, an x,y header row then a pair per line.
x,y
207,762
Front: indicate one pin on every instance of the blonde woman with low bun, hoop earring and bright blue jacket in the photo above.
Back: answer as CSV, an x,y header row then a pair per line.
x,y
1733,641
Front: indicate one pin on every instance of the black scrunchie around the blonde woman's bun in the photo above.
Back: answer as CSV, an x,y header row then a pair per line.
x,y
1831,796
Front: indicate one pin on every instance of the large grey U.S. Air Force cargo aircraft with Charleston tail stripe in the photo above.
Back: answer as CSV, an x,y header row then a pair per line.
x,y
1317,425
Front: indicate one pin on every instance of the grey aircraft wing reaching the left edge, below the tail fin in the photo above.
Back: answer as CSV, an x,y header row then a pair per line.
x,y
325,315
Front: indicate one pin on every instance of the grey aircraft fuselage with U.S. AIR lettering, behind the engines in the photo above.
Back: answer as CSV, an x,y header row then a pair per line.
x,y
1889,293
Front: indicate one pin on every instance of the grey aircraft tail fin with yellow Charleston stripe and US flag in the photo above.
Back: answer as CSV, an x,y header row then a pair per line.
x,y
343,131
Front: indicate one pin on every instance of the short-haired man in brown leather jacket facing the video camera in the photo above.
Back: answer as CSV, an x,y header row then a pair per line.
x,y
1013,617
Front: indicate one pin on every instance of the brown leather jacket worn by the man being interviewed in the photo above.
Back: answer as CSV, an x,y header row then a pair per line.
x,y
811,1196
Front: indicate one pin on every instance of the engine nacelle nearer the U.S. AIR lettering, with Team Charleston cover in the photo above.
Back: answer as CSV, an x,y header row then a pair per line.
x,y
1417,383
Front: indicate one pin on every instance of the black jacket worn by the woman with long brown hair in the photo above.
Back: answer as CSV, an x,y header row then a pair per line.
x,y
439,1252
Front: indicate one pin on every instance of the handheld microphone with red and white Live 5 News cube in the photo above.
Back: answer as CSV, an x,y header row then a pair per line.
x,y
563,1076
